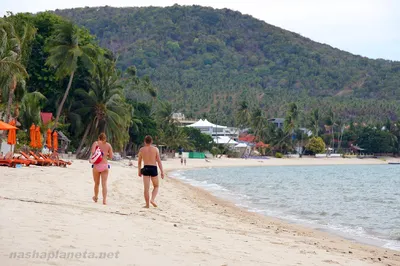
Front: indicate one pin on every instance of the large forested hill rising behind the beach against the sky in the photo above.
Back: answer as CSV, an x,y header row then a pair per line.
x,y
206,60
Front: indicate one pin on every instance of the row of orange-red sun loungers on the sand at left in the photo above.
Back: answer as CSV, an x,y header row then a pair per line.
x,y
33,159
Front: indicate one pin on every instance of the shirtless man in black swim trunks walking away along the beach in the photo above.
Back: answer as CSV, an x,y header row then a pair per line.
x,y
151,157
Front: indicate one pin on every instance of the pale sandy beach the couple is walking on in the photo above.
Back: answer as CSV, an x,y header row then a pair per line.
x,y
49,209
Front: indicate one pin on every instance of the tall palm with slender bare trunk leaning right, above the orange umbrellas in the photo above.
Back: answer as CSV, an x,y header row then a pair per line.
x,y
65,50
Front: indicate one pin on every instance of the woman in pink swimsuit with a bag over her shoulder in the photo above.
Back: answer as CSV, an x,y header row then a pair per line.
x,y
101,169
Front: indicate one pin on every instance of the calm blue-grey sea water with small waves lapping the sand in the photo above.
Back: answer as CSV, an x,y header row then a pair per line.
x,y
357,202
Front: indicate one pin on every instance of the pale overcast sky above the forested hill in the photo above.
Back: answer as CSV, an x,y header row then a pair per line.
x,y
369,28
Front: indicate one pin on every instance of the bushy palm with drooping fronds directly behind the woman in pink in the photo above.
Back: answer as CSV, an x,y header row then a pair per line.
x,y
104,107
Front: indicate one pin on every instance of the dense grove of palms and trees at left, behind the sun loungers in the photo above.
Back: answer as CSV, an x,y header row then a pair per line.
x,y
49,64
